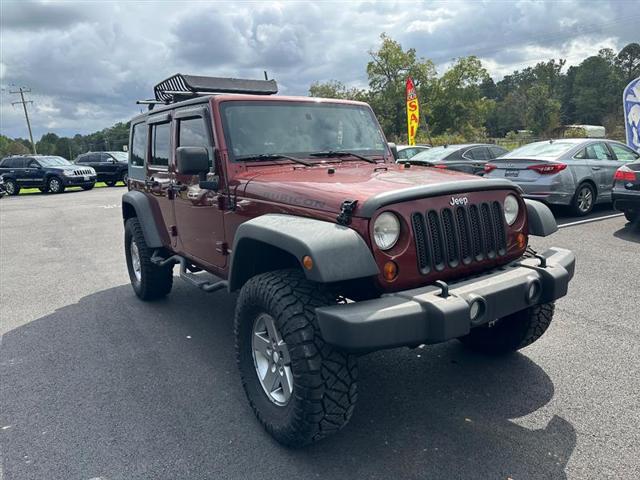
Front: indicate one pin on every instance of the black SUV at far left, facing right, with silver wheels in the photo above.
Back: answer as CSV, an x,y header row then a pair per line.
x,y
46,172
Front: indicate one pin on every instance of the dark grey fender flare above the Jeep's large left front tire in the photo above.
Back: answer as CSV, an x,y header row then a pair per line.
x,y
339,253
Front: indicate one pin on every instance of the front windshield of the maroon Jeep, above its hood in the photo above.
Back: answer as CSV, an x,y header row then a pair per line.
x,y
299,129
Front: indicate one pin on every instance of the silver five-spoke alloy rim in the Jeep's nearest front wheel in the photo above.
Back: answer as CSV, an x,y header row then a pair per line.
x,y
271,360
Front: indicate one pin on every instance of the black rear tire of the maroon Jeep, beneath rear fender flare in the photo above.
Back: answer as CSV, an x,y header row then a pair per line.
x,y
155,281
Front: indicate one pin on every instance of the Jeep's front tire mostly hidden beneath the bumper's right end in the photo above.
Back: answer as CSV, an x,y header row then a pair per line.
x,y
512,332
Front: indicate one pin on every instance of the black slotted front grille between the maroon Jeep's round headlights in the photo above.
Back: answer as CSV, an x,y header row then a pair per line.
x,y
459,235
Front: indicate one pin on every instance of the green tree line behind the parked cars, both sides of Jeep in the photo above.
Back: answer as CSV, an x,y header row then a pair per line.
x,y
462,104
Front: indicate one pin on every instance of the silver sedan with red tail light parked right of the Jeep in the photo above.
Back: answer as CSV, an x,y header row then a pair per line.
x,y
570,171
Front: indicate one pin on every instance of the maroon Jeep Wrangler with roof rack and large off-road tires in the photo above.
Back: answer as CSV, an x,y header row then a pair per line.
x,y
336,250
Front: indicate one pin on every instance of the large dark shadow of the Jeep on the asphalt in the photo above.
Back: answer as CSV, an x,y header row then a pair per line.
x,y
114,388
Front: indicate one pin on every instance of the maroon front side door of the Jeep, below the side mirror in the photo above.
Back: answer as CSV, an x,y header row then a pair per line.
x,y
198,212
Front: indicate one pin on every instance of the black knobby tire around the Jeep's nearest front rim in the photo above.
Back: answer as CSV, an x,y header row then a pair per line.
x,y
324,379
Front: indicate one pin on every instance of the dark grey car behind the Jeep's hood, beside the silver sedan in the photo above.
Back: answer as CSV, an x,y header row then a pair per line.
x,y
467,158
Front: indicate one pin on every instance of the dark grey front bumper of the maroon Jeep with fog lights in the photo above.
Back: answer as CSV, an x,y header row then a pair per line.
x,y
424,315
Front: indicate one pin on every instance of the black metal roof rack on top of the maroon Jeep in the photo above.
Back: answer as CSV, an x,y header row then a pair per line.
x,y
181,87
